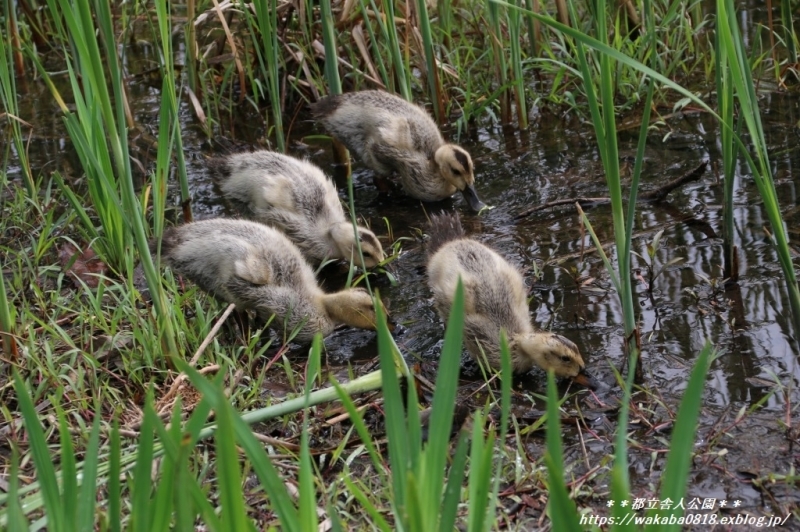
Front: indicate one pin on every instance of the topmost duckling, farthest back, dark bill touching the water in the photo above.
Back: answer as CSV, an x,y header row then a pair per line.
x,y
390,134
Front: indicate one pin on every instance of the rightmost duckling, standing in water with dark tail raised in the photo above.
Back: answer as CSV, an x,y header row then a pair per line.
x,y
494,299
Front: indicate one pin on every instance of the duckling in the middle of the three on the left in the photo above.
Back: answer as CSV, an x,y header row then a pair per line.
x,y
297,198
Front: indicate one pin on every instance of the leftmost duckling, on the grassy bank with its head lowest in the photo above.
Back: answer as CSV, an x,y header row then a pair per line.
x,y
257,267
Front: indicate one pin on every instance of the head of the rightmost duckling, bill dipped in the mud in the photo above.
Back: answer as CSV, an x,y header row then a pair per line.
x,y
549,351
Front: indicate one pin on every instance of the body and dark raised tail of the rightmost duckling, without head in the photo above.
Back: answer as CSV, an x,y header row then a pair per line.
x,y
494,291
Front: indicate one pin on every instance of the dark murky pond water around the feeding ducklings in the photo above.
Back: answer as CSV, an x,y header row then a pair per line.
x,y
750,324
